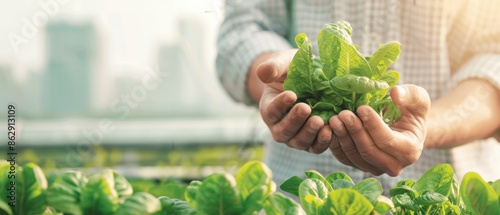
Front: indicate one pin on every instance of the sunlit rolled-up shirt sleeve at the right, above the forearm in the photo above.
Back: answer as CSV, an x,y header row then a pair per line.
x,y
477,55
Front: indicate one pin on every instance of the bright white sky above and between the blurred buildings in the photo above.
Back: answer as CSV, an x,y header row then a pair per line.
x,y
130,31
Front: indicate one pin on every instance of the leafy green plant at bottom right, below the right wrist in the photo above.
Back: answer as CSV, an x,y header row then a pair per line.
x,y
435,192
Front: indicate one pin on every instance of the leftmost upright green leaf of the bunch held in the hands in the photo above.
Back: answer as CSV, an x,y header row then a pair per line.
x,y
300,78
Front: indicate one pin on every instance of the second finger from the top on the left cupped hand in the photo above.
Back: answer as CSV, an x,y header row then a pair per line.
x,y
291,123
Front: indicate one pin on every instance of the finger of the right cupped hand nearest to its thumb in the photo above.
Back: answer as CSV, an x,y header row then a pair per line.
x,y
385,139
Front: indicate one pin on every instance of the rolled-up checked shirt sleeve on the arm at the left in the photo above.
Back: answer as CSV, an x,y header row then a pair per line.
x,y
250,29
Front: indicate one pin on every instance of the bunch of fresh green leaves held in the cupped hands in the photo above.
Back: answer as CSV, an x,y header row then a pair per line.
x,y
341,78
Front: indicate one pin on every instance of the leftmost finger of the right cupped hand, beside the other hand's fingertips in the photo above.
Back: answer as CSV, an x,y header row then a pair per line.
x,y
348,146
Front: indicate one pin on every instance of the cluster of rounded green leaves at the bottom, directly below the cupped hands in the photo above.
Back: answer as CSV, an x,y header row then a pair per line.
x,y
337,194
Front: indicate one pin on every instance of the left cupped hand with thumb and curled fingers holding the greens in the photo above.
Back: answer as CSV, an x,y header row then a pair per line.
x,y
289,124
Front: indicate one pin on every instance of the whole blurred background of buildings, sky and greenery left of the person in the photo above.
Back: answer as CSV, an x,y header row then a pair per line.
x,y
129,85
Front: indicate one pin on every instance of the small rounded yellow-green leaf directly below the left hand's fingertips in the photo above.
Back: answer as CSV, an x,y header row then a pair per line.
x,y
312,193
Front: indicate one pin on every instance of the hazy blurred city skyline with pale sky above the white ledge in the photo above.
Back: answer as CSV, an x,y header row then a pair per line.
x,y
89,70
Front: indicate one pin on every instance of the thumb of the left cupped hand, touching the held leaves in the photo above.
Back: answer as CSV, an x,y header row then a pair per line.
x,y
275,67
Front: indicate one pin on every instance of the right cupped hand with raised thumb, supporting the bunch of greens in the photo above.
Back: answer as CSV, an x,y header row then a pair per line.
x,y
367,143
